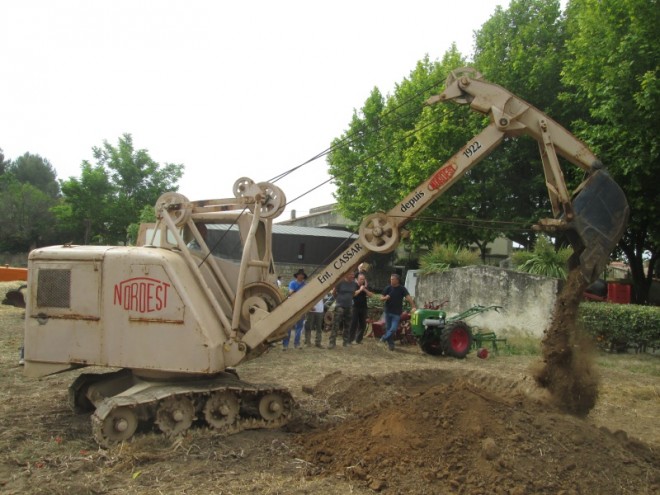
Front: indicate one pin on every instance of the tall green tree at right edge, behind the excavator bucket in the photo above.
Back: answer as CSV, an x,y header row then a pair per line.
x,y
612,73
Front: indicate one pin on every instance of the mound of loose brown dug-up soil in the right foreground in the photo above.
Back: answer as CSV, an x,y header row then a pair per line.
x,y
424,432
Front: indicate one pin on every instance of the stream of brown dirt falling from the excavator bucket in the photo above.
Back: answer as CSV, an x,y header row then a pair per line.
x,y
567,370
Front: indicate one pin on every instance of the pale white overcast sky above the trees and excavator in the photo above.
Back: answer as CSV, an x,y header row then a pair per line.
x,y
228,89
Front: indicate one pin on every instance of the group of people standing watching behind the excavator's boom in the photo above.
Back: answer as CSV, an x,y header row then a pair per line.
x,y
350,310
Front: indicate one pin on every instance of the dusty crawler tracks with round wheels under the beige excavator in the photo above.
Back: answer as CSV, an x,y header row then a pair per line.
x,y
123,401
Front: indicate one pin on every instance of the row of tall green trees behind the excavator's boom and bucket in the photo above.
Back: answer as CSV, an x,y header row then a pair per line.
x,y
593,68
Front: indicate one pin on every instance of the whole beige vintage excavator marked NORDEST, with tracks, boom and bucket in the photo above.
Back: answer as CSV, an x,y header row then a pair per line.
x,y
173,320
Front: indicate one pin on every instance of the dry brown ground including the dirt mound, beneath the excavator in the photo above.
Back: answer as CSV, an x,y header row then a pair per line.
x,y
367,420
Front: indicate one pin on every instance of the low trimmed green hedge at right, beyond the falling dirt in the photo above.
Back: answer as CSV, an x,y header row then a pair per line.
x,y
622,325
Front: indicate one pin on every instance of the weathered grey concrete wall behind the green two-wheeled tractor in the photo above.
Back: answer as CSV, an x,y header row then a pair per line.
x,y
528,300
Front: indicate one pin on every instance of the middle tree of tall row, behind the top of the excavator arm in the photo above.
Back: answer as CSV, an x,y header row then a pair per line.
x,y
522,49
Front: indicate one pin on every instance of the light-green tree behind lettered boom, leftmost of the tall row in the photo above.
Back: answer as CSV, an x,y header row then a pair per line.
x,y
395,143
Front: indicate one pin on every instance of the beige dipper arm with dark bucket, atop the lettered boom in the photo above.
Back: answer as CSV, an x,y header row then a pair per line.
x,y
595,216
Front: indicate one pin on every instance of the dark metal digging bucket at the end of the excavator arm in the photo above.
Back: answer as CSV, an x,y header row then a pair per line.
x,y
600,217
